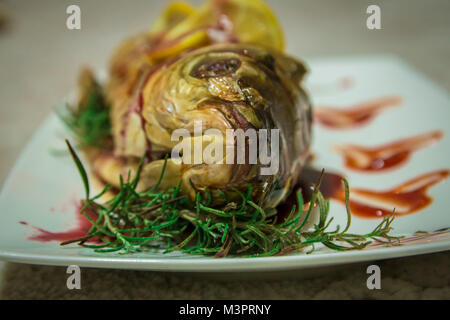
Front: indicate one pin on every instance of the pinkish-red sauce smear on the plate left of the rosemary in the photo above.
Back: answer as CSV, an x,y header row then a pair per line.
x,y
81,228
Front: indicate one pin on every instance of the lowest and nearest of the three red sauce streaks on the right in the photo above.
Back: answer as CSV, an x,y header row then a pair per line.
x,y
406,198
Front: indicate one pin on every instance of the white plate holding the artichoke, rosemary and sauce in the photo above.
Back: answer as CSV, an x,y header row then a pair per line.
x,y
42,188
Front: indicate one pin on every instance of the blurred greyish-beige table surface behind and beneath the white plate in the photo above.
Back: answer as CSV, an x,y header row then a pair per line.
x,y
39,60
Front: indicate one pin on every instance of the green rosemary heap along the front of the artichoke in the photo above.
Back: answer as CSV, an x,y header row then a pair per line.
x,y
134,221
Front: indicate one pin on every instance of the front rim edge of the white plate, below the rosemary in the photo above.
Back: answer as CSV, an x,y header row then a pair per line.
x,y
232,264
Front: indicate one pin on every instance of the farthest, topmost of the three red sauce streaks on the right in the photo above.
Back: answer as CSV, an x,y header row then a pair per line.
x,y
354,116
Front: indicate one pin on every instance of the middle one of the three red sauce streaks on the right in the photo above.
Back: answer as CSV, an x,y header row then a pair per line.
x,y
386,156
